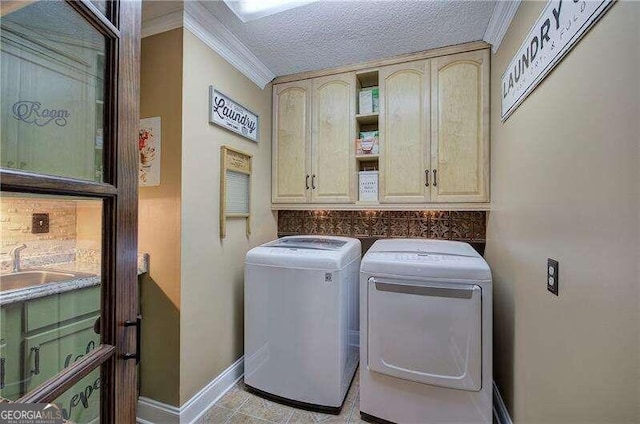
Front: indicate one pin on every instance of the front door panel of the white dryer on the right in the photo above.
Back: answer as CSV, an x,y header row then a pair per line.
x,y
426,332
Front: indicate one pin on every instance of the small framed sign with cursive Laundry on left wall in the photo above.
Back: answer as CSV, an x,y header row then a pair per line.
x,y
227,113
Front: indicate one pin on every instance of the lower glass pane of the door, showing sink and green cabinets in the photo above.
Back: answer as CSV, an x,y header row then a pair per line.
x,y
50,286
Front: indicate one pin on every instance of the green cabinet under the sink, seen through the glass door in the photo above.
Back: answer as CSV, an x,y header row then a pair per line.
x,y
41,337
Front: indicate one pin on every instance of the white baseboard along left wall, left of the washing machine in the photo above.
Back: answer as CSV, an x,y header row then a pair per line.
x,y
153,412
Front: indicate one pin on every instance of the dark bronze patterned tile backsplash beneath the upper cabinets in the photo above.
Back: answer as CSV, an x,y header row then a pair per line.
x,y
469,226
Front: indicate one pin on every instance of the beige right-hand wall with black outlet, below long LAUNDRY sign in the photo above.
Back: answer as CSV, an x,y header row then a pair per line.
x,y
566,185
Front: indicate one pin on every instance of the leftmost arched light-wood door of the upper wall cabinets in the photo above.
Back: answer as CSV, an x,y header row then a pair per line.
x,y
291,142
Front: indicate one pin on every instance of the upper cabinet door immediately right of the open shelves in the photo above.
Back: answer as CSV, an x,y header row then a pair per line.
x,y
404,129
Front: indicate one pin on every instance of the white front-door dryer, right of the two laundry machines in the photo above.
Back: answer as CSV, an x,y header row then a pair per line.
x,y
426,333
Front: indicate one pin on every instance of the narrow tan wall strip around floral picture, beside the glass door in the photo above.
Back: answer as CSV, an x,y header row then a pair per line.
x,y
159,220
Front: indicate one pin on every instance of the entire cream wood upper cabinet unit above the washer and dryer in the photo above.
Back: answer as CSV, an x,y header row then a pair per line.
x,y
433,124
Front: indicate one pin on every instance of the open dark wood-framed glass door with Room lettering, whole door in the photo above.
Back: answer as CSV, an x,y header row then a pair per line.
x,y
68,300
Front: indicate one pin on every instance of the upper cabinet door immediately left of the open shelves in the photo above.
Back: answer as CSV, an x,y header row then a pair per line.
x,y
333,141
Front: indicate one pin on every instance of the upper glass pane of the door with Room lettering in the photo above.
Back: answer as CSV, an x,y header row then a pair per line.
x,y
53,85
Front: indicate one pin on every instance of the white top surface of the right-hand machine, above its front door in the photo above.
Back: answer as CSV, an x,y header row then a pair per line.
x,y
426,259
